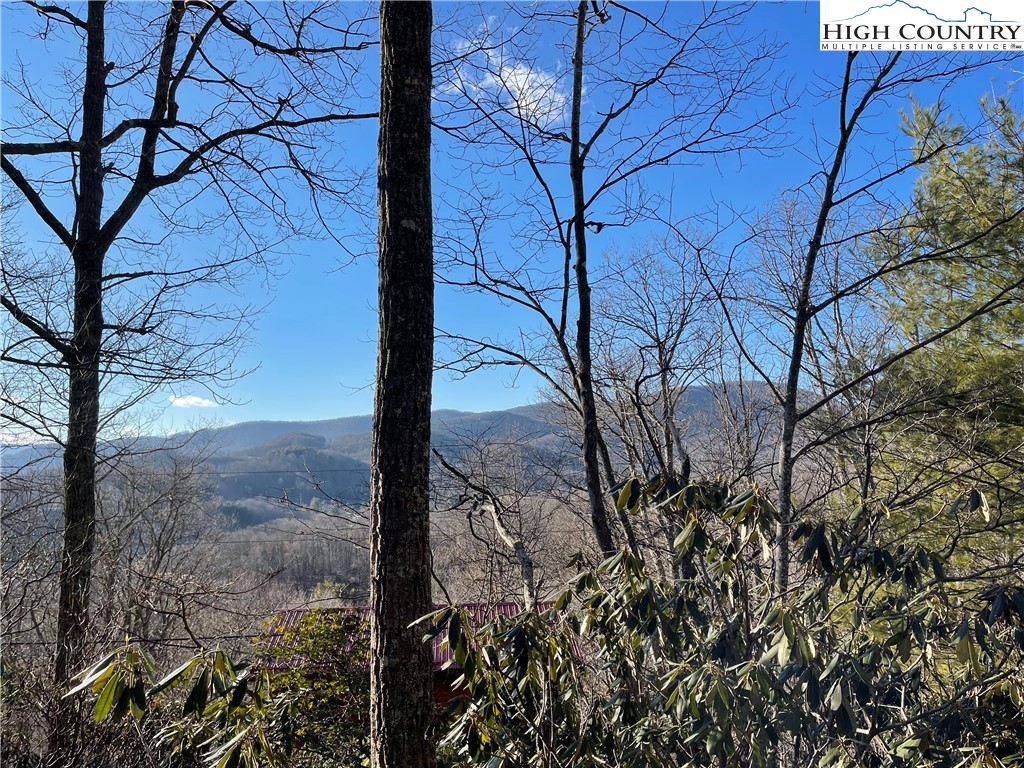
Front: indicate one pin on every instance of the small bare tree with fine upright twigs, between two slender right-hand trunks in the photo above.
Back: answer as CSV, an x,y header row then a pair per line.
x,y
657,335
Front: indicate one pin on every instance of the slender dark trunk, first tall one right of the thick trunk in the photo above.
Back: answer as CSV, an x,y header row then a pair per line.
x,y
585,368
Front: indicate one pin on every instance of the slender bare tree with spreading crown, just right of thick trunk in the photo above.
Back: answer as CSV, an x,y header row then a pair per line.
x,y
575,167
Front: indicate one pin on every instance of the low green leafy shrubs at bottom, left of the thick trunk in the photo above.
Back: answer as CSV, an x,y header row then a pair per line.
x,y
305,704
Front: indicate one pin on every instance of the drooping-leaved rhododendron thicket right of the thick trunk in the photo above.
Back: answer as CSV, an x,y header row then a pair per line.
x,y
875,660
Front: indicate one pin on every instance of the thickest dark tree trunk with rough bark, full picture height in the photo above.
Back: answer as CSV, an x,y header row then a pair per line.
x,y
402,665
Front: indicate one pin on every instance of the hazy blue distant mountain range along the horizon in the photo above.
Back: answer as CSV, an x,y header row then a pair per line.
x,y
259,464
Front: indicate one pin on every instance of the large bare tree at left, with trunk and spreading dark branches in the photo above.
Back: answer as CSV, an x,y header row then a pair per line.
x,y
179,119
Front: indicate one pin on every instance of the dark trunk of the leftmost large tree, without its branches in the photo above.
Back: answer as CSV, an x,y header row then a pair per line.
x,y
83,398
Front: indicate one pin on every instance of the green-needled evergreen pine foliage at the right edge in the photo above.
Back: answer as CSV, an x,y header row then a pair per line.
x,y
962,241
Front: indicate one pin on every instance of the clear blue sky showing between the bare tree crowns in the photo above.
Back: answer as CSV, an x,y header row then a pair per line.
x,y
314,349
